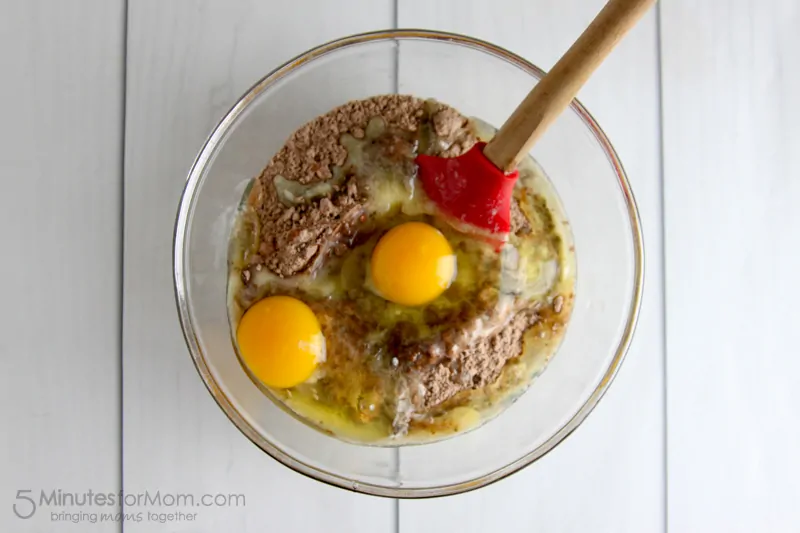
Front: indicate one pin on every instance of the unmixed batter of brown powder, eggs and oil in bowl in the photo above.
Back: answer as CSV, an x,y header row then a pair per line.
x,y
328,265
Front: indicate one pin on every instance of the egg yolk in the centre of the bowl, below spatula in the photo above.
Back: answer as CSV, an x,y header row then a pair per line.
x,y
412,264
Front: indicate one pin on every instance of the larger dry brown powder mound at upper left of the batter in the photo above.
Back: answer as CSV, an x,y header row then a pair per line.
x,y
296,239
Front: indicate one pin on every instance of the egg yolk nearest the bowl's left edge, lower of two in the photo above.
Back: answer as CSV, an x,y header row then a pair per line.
x,y
280,341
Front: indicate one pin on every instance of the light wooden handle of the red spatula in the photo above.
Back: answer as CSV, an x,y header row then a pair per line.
x,y
557,89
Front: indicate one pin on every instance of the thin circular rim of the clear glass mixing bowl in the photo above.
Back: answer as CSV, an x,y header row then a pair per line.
x,y
180,275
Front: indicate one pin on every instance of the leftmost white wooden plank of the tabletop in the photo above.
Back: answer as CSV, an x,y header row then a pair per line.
x,y
60,186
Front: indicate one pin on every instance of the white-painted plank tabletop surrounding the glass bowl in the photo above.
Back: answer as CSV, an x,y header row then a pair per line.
x,y
104,104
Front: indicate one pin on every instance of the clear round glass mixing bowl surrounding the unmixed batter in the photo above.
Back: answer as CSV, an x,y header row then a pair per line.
x,y
480,80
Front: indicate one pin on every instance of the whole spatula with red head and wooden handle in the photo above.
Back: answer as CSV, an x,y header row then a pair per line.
x,y
476,187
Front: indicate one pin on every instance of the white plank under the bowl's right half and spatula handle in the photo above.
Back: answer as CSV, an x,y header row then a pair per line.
x,y
609,475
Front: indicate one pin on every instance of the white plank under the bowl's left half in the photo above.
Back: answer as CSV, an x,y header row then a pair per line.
x,y
188,61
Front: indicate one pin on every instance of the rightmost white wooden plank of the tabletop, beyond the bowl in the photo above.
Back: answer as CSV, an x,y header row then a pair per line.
x,y
731,76
